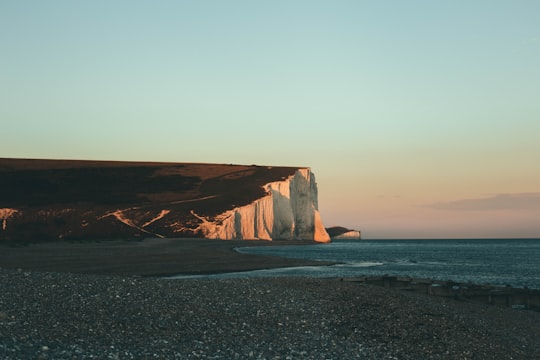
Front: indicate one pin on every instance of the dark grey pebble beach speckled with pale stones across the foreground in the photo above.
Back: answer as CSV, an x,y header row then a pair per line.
x,y
61,315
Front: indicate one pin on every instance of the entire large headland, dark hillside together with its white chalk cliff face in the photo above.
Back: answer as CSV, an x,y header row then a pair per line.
x,y
66,199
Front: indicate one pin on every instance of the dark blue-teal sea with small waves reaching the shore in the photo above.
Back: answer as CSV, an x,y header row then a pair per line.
x,y
504,262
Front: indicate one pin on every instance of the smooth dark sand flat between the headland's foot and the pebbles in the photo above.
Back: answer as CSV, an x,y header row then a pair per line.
x,y
149,257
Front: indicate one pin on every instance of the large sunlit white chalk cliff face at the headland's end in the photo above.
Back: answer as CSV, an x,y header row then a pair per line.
x,y
289,211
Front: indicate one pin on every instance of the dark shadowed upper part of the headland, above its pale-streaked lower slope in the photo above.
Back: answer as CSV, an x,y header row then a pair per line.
x,y
35,182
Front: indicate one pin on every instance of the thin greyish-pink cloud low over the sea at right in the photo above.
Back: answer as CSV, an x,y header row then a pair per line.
x,y
521,201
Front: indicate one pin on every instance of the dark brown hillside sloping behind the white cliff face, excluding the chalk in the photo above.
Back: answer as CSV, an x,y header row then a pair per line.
x,y
51,199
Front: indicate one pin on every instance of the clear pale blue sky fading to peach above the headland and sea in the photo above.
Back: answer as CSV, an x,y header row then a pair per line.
x,y
419,119
